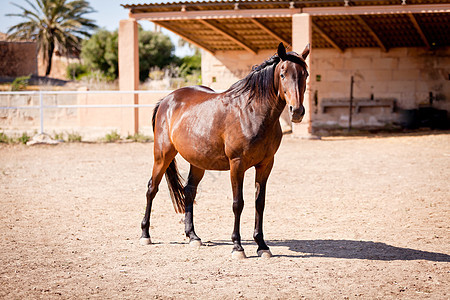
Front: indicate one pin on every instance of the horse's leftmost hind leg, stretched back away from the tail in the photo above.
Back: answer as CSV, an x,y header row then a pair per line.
x,y
159,167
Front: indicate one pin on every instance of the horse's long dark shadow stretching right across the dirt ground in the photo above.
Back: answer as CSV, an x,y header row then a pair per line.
x,y
348,249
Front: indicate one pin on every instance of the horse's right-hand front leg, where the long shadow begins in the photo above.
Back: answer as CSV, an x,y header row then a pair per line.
x,y
262,174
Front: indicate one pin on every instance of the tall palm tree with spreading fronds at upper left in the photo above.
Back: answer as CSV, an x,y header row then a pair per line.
x,y
53,24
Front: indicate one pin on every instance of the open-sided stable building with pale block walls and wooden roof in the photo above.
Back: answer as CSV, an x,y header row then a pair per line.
x,y
370,60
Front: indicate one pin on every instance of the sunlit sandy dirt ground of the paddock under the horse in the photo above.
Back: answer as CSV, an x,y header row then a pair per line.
x,y
345,218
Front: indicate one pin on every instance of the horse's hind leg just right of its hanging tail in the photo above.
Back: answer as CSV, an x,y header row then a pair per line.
x,y
190,190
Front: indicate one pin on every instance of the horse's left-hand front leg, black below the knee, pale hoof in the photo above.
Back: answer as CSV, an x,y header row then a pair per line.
x,y
237,180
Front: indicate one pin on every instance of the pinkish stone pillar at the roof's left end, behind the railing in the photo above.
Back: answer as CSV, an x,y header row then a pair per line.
x,y
129,74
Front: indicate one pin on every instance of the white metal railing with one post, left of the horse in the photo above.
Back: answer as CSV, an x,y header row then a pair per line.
x,y
43,106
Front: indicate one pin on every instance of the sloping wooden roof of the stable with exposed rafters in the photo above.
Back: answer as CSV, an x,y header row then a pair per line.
x,y
258,24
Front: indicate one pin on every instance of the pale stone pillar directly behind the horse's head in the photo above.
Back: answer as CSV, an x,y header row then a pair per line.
x,y
301,36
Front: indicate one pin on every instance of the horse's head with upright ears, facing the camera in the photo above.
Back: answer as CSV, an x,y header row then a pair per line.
x,y
291,74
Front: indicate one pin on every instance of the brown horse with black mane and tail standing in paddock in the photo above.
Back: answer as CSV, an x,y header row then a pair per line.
x,y
233,130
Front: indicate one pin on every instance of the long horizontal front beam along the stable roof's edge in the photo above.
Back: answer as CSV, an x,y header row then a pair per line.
x,y
288,12
